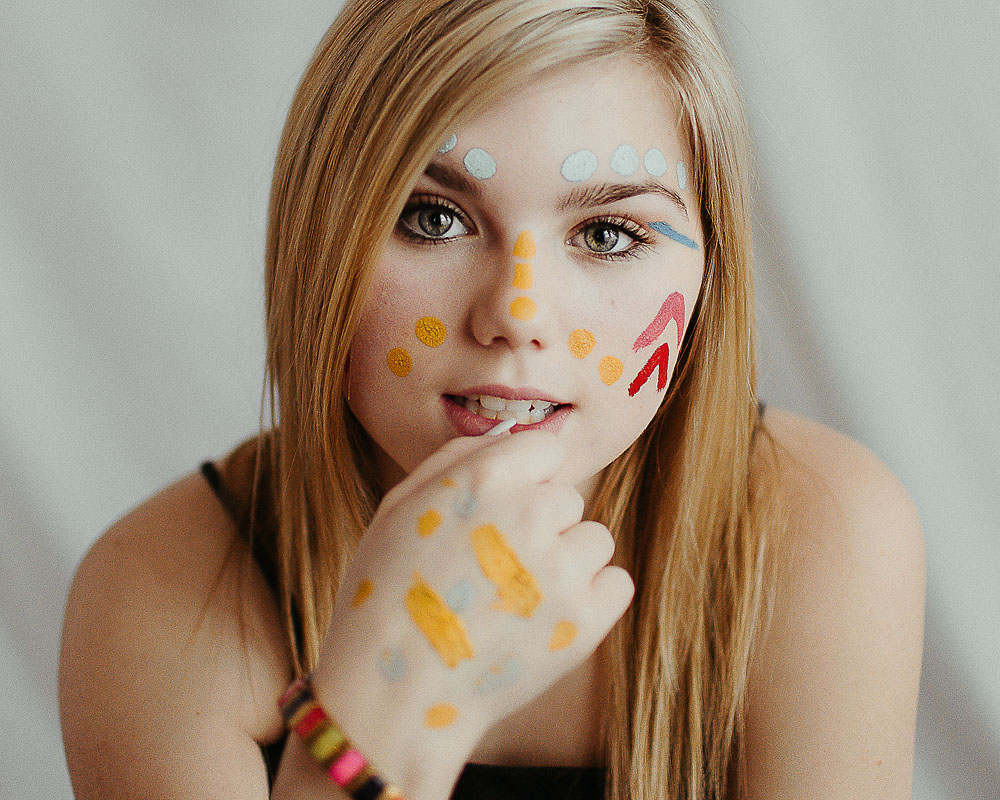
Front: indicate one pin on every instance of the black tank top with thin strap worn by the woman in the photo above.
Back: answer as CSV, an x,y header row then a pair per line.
x,y
477,781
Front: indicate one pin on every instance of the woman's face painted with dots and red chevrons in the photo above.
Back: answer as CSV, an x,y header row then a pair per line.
x,y
545,267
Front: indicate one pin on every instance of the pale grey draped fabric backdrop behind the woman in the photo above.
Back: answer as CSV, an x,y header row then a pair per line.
x,y
136,143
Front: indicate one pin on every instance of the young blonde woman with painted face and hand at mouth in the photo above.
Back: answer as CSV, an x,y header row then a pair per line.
x,y
519,516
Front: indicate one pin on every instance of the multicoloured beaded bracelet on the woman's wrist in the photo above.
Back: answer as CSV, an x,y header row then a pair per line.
x,y
326,743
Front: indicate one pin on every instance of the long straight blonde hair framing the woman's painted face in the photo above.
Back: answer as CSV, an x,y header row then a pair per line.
x,y
388,82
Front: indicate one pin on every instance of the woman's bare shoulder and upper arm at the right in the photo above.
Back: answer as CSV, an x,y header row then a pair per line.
x,y
833,690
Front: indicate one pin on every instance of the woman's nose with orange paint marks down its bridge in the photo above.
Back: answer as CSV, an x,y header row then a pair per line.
x,y
515,305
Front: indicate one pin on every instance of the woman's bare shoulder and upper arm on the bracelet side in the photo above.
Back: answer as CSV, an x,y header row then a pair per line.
x,y
172,655
